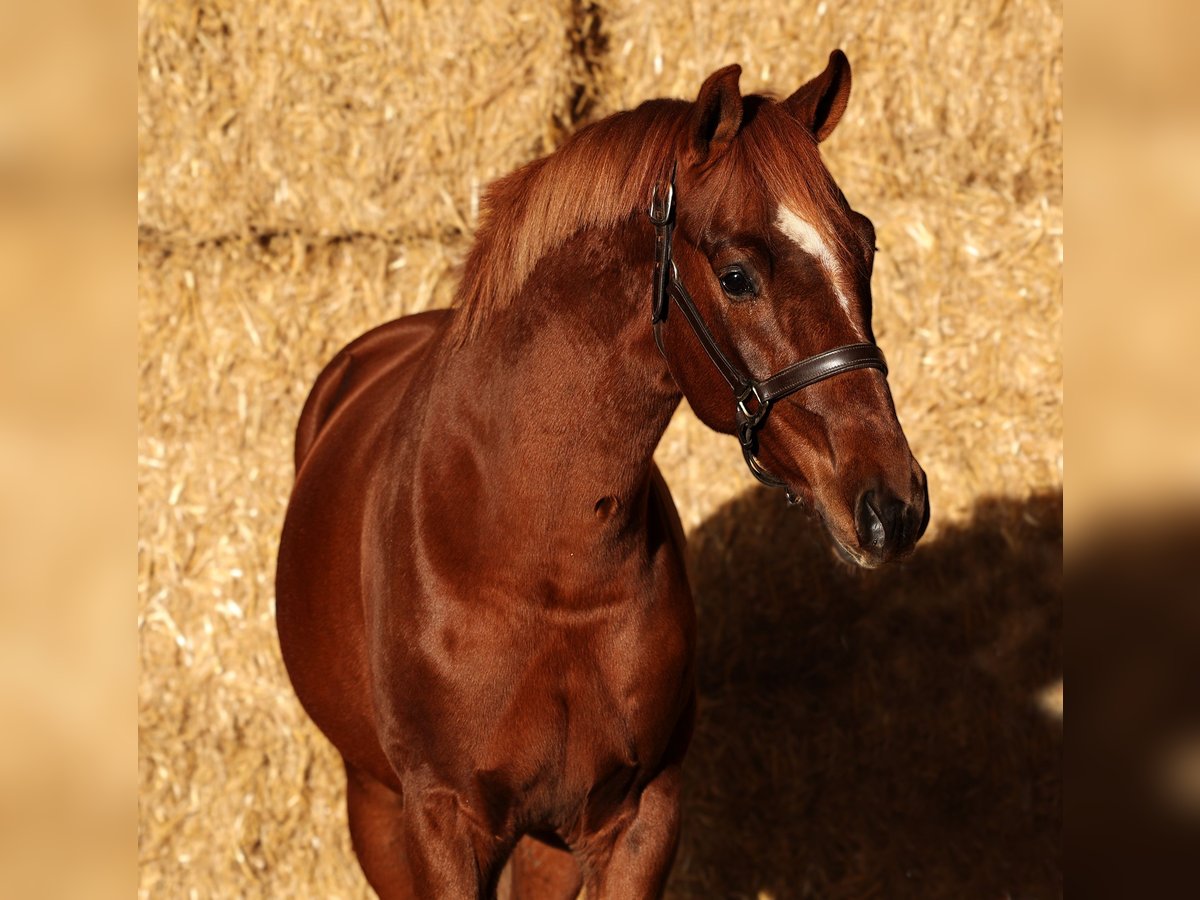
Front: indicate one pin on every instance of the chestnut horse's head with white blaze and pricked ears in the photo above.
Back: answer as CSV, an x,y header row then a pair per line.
x,y
779,267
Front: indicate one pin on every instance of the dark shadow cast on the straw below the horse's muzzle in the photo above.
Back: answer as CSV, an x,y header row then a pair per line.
x,y
889,734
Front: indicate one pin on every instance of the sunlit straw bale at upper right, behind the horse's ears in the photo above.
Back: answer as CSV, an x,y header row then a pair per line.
x,y
945,95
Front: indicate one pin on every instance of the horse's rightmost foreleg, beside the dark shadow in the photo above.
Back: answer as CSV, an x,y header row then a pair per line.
x,y
635,861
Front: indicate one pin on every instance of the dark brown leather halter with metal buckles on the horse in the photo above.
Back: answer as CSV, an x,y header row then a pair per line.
x,y
753,399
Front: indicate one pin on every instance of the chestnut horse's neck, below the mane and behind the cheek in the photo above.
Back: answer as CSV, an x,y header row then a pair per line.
x,y
573,391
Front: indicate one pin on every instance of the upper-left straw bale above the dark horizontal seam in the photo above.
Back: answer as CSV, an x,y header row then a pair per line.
x,y
341,118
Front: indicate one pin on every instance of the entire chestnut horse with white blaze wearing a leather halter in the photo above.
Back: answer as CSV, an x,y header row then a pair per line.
x,y
482,592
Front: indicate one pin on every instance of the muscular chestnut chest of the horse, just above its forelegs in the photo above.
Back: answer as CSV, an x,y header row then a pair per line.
x,y
553,717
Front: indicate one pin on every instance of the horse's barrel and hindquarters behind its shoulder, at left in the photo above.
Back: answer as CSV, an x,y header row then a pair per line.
x,y
320,610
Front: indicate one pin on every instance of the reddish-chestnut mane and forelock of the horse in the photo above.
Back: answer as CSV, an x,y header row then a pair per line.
x,y
607,171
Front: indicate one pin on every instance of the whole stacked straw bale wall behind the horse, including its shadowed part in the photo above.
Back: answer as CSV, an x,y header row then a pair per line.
x,y
311,170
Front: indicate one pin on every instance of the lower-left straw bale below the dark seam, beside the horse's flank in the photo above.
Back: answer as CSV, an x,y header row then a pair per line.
x,y
239,795
